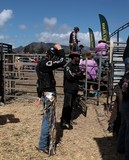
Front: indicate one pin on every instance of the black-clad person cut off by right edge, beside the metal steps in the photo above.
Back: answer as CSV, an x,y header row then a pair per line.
x,y
126,54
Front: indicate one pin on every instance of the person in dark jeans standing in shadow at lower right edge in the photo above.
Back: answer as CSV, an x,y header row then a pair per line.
x,y
123,136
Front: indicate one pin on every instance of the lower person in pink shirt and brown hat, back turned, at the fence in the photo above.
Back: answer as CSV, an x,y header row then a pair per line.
x,y
91,66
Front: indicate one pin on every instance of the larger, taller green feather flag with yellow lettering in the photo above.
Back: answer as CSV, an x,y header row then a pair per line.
x,y
104,28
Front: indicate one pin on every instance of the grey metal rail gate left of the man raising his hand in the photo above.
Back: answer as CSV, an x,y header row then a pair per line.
x,y
19,75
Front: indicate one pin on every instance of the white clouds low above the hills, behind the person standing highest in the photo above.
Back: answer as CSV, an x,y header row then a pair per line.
x,y
53,33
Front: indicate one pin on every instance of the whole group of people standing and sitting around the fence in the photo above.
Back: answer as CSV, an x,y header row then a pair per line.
x,y
73,72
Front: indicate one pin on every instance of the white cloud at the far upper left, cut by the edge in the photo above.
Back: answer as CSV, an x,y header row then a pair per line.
x,y
5,15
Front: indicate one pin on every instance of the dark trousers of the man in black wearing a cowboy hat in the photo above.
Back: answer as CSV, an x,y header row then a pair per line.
x,y
69,103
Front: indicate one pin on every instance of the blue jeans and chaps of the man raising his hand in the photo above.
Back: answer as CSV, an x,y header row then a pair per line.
x,y
48,104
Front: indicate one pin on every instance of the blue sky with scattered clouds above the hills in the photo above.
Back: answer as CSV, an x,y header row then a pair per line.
x,y
27,21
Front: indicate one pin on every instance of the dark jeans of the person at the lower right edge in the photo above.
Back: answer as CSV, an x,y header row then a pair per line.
x,y
123,136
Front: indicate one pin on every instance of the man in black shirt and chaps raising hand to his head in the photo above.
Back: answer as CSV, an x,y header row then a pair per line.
x,y
46,88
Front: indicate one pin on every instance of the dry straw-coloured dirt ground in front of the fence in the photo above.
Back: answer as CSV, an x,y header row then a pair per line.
x,y
20,124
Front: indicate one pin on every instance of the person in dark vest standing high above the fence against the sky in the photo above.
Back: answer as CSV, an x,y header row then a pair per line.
x,y
73,41
